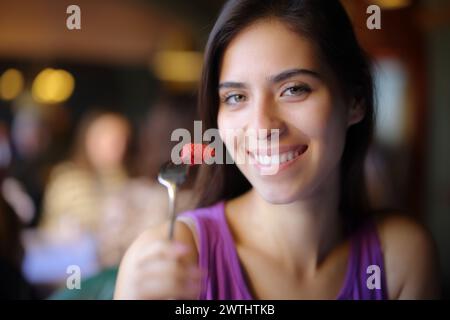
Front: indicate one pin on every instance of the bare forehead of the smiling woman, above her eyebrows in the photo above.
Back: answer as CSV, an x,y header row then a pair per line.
x,y
265,48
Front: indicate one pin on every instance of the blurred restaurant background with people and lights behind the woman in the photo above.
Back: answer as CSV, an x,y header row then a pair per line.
x,y
86,117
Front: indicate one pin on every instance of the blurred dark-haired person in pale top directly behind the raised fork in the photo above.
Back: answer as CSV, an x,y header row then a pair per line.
x,y
143,202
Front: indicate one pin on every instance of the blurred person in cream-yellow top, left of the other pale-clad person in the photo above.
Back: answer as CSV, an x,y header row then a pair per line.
x,y
77,187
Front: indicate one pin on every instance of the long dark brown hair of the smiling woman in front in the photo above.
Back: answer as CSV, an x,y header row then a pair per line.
x,y
327,25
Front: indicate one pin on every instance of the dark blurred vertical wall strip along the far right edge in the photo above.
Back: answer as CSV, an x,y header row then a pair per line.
x,y
438,167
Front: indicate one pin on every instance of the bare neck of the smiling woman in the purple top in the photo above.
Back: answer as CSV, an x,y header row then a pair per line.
x,y
299,234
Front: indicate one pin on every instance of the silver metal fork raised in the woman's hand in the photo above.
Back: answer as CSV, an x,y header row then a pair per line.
x,y
171,176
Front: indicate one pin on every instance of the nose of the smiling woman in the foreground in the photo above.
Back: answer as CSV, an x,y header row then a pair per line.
x,y
265,119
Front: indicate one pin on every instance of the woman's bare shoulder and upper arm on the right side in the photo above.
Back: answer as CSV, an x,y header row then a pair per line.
x,y
410,256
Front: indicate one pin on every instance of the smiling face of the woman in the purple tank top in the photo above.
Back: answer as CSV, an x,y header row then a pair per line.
x,y
271,78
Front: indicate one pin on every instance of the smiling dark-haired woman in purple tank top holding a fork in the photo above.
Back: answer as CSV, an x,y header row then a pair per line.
x,y
304,232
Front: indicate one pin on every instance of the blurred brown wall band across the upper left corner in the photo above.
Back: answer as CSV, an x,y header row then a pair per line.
x,y
113,31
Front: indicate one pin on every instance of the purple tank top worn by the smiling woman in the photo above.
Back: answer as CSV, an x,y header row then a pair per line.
x,y
224,279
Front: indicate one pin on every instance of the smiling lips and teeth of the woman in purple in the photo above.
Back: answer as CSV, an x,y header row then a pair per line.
x,y
278,157
